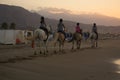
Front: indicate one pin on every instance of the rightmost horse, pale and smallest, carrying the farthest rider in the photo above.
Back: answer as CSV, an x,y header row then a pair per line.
x,y
94,39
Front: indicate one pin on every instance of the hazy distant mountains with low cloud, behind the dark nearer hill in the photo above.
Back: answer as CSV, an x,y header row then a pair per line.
x,y
87,18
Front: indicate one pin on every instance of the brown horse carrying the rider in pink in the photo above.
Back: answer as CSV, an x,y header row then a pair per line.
x,y
77,37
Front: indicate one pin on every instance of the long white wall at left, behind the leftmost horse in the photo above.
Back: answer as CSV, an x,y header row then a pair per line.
x,y
10,36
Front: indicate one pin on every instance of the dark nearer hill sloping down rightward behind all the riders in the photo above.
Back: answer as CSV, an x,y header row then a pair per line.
x,y
25,19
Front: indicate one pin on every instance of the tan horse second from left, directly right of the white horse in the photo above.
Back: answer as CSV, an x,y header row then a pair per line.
x,y
60,38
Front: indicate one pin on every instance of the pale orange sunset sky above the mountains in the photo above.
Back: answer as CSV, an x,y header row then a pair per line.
x,y
105,7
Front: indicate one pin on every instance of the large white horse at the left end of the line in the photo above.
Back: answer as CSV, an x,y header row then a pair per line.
x,y
40,39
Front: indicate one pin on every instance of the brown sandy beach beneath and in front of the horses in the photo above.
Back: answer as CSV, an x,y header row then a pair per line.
x,y
100,63
